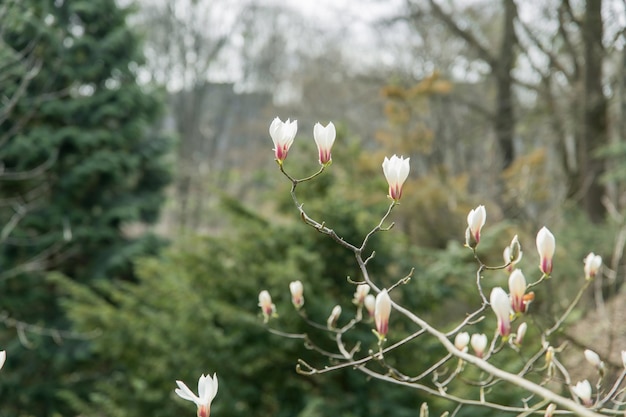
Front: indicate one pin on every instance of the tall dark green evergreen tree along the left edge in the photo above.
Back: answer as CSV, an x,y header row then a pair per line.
x,y
82,173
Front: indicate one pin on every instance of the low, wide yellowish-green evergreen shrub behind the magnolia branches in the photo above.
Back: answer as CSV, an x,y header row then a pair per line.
x,y
194,310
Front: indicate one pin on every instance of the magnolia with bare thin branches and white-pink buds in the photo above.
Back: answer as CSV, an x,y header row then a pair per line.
x,y
553,393
